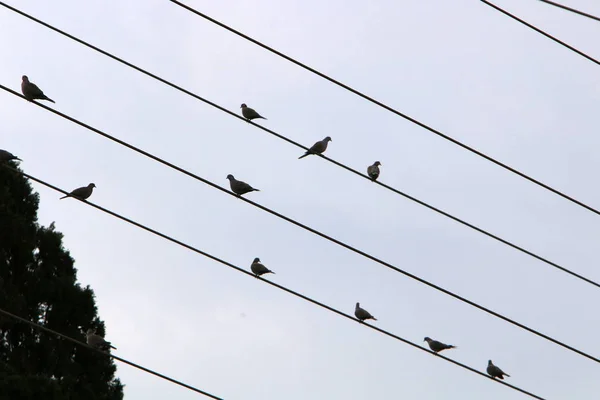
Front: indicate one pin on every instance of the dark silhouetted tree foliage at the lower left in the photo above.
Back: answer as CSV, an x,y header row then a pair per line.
x,y
38,281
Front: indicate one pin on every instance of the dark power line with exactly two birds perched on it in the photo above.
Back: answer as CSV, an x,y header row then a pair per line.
x,y
309,229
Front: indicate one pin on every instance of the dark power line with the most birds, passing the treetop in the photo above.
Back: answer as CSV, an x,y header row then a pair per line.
x,y
285,289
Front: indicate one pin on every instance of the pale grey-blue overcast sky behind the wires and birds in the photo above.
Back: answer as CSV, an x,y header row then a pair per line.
x,y
459,66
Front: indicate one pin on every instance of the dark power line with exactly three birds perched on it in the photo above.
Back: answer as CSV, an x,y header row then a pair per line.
x,y
345,167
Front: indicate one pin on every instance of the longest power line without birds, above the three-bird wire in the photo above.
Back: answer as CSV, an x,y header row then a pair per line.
x,y
388,108
